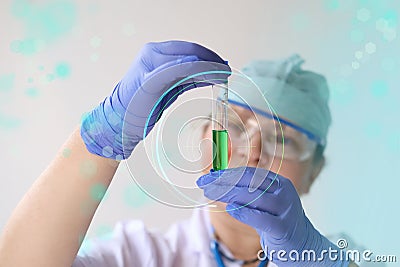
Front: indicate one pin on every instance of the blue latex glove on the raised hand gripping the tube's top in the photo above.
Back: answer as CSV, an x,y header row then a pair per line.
x,y
123,119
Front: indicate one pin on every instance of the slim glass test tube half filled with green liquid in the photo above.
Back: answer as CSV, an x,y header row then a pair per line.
x,y
220,126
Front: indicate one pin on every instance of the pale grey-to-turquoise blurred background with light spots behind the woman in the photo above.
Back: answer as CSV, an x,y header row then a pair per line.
x,y
60,58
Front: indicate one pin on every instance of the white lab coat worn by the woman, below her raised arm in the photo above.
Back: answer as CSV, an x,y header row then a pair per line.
x,y
186,243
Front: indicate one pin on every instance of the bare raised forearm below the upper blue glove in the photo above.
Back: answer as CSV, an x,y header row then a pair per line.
x,y
49,223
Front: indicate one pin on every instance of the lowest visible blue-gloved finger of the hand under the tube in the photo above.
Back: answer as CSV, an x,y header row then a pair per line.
x,y
260,220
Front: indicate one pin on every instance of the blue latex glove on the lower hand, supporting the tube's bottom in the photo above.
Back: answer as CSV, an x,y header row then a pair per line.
x,y
269,203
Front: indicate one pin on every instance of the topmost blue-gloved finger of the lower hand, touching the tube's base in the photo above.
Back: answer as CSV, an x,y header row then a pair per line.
x,y
247,177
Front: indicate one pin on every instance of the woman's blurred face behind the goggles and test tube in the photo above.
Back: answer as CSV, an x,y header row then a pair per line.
x,y
248,151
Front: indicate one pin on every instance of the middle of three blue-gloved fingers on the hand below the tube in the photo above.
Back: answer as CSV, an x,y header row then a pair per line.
x,y
258,199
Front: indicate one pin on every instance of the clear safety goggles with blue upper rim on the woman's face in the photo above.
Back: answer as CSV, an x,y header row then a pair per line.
x,y
276,137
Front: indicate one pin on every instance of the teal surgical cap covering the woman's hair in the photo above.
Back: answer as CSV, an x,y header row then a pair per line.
x,y
296,95
